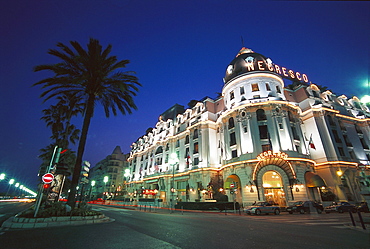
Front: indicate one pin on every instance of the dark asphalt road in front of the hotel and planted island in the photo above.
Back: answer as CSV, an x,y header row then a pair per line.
x,y
137,229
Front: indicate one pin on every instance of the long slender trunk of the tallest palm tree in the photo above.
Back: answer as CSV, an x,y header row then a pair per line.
x,y
80,151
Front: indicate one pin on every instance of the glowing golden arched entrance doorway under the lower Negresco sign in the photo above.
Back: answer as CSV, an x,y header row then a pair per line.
x,y
273,188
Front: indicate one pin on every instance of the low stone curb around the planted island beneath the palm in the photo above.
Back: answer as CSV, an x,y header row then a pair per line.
x,y
26,223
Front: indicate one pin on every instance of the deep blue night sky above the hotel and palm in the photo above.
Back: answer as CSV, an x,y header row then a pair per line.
x,y
179,50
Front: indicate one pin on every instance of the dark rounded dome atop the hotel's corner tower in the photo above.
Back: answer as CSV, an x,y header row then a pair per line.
x,y
248,61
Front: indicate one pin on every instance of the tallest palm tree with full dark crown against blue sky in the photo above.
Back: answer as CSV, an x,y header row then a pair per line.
x,y
93,77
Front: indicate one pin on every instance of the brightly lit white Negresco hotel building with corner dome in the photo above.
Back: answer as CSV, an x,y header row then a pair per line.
x,y
259,141
